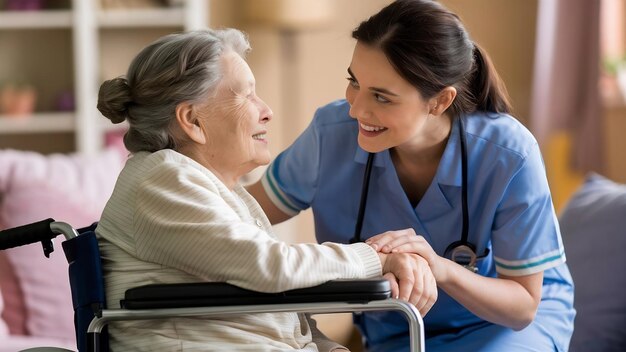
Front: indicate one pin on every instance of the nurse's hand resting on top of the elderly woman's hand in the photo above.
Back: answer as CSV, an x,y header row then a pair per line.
x,y
407,241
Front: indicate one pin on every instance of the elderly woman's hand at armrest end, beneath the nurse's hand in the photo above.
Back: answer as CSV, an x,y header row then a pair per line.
x,y
411,279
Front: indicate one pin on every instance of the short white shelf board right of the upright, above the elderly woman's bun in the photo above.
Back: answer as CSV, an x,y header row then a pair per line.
x,y
157,17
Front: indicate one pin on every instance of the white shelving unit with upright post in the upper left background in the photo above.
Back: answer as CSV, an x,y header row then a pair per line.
x,y
85,20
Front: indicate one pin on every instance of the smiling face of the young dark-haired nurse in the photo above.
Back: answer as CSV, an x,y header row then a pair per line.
x,y
390,111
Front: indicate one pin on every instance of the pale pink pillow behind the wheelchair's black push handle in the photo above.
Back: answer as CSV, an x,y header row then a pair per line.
x,y
69,188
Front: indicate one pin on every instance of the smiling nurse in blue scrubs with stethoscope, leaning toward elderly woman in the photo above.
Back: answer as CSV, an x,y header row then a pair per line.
x,y
454,178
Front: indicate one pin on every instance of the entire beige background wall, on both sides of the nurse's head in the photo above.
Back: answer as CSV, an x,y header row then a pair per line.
x,y
300,70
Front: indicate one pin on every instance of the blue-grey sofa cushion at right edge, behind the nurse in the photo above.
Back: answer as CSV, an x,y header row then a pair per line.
x,y
593,226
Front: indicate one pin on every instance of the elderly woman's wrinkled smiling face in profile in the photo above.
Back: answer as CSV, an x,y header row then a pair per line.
x,y
234,120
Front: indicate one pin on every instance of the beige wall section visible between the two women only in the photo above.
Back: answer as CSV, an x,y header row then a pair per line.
x,y
296,72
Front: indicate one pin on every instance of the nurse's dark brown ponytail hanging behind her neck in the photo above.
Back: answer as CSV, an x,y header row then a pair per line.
x,y
489,91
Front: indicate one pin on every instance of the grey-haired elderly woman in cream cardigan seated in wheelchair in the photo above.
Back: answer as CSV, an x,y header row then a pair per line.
x,y
177,213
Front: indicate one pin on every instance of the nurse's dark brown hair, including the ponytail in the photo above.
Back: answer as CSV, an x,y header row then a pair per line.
x,y
428,45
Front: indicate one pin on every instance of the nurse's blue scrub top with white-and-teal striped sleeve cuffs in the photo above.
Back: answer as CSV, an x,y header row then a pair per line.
x,y
510,209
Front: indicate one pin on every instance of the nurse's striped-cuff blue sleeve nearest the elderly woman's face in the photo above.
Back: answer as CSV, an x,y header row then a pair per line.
x,y
291,179
